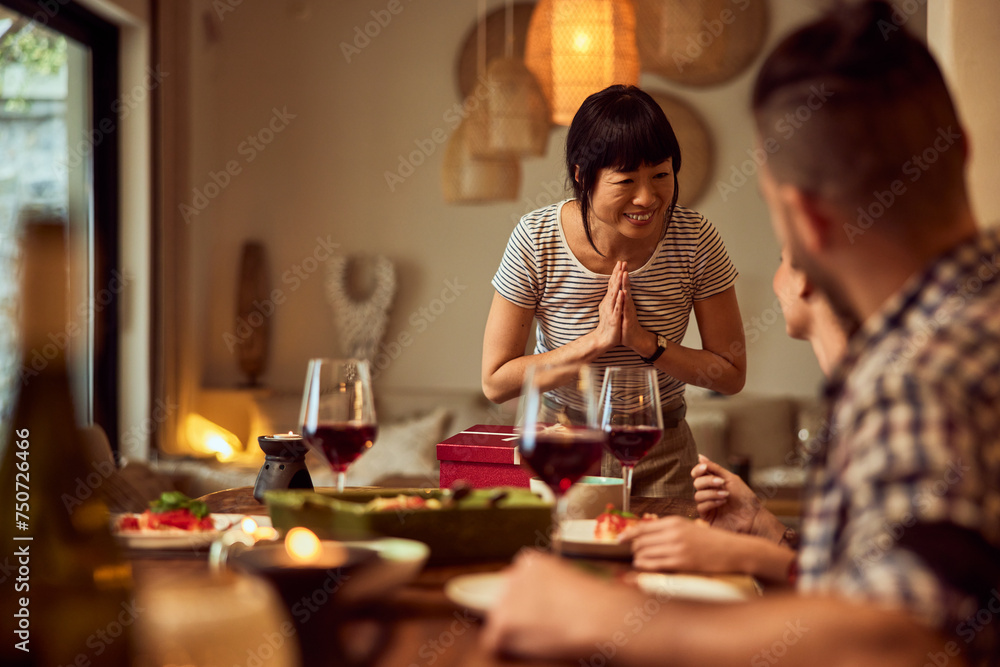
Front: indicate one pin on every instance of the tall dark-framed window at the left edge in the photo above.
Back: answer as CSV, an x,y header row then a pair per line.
x,y
59,152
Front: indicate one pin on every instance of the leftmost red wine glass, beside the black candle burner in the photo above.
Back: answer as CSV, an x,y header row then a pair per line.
x,y
338,414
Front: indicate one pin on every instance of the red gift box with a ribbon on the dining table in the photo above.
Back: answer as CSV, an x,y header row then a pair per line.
x,y
483,456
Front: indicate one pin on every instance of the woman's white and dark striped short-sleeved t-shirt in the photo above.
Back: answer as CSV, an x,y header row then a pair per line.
x,y
538,271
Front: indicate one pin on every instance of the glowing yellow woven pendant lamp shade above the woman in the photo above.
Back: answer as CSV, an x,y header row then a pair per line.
x,y
578,47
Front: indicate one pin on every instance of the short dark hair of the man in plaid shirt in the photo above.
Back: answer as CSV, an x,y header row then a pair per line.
x,y
853,108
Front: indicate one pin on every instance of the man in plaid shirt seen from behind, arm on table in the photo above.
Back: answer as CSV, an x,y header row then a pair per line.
x,y
863,162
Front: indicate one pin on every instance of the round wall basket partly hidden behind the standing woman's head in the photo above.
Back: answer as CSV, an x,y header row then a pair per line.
x,y
697,151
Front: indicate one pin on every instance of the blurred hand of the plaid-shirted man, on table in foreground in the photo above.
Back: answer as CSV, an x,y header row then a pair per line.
x,y
552,609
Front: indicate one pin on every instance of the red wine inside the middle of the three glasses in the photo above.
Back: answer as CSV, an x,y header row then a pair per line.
x,y
561,458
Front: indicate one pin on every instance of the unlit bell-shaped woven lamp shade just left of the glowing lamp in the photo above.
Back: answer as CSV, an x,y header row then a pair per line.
x,y
513,120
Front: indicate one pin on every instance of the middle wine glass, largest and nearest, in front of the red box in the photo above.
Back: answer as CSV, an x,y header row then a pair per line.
x,y
558,431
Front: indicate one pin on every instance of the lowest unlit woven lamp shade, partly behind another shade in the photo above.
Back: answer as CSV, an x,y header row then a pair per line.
x,y
467,179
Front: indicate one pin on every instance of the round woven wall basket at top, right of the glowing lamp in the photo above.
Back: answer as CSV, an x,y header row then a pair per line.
x,y
699,42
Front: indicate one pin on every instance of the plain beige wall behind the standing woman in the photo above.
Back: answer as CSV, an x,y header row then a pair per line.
x,y
323,176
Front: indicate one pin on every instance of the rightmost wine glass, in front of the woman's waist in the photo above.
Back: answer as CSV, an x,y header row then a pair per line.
x,y
632,416
